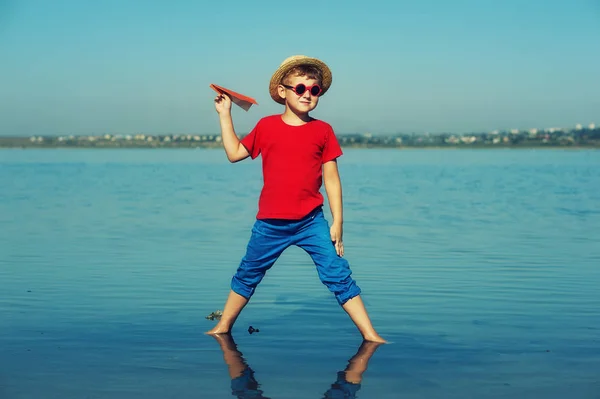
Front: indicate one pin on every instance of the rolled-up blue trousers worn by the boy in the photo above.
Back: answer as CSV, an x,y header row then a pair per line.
x,y
271,237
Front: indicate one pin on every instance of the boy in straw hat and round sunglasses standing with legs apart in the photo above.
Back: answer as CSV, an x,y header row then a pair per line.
x,y
298,154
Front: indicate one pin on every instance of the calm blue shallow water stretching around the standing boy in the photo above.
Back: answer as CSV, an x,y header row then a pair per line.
x,y
480,267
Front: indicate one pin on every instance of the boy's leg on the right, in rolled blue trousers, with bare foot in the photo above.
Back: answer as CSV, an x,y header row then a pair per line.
x,y
334,271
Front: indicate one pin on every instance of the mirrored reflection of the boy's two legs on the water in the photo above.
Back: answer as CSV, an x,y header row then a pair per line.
x,y
244,385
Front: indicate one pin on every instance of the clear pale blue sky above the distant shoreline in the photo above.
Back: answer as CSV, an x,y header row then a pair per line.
x,y
127,66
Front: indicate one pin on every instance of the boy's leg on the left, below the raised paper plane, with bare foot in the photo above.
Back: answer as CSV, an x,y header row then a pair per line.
x,y
265,246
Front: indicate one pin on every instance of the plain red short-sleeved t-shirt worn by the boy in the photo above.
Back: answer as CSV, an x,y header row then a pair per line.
x,y
292,162
